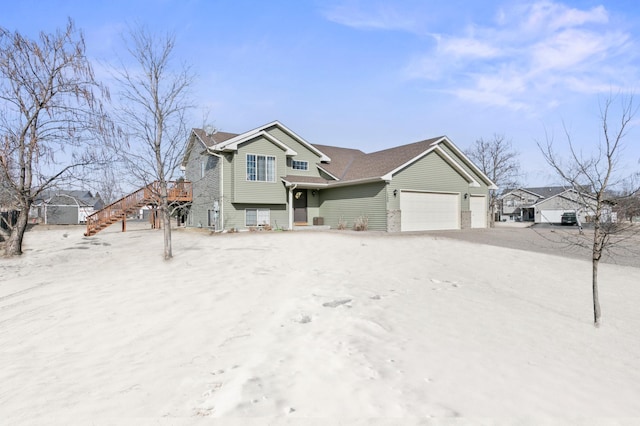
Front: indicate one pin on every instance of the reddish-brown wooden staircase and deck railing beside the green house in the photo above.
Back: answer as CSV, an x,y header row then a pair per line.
x,y
177,192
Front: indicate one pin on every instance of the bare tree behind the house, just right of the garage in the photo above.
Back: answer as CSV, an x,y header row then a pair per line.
x,y
499,161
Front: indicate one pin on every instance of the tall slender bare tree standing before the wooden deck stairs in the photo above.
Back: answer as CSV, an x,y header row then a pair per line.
x,y
153,100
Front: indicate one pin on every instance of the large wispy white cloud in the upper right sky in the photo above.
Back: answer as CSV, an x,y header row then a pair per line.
x,y
532,56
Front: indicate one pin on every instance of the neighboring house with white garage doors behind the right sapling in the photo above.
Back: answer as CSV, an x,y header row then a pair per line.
x,y
547,204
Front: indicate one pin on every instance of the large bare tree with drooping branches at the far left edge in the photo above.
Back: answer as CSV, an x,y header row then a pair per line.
x,y
51,117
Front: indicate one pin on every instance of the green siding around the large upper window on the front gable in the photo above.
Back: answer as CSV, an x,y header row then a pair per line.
x,y
245,191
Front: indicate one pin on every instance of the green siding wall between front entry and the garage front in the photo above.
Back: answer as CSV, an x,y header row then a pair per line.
x,y
351,202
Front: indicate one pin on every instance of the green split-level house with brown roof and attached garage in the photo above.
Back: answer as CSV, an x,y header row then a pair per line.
x,y
272,176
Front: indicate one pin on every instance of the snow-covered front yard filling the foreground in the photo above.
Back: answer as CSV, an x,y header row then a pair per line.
x,y
303,327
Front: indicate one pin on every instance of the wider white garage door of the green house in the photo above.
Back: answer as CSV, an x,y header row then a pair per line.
x,y
428,211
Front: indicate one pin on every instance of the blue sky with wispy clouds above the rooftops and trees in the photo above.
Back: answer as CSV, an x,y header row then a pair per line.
x,y
373,74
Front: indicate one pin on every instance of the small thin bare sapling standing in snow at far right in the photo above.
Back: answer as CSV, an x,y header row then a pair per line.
x,y
593,176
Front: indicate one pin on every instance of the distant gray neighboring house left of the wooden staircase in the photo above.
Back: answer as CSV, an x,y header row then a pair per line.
x,y
65,207
